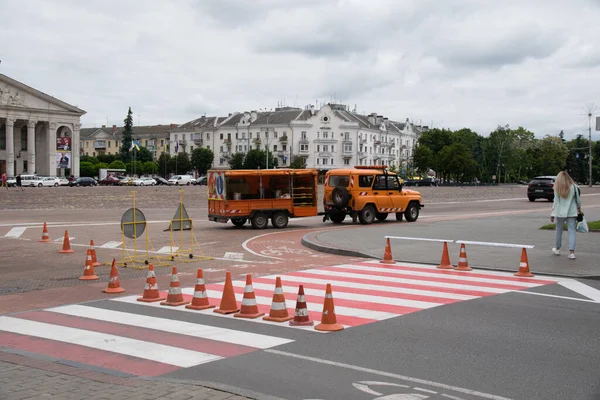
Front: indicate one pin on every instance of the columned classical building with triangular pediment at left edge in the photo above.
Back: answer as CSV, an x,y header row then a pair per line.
x,y
37,132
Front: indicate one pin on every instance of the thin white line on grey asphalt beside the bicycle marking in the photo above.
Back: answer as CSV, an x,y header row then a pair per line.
x,y
388,374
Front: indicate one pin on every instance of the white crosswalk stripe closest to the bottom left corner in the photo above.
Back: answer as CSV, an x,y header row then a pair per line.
x,y
112,343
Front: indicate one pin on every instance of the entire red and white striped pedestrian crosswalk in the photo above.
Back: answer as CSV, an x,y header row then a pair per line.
x,y
136,338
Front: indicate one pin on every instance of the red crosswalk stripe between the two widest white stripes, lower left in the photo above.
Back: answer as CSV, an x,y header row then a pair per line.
x,y
148,335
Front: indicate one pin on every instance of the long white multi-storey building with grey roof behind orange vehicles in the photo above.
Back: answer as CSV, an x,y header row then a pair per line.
x,y
328,138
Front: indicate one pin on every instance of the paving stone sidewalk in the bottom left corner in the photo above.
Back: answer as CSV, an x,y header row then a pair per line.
x,y
26,378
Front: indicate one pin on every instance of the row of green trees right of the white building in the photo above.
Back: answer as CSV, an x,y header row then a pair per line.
x,y
506,155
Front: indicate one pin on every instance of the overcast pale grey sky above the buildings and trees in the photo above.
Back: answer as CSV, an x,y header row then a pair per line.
x,y
444,63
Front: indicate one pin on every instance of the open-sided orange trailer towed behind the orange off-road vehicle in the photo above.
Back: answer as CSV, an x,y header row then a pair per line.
x,y
259,195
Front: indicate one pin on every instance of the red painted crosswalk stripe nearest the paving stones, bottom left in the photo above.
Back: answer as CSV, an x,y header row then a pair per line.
x,y
85,355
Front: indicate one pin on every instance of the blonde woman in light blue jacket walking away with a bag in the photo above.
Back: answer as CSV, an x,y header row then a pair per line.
x,y
567,205
